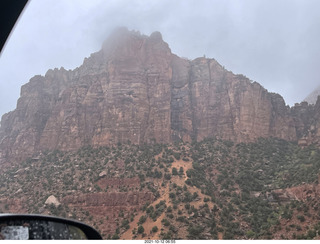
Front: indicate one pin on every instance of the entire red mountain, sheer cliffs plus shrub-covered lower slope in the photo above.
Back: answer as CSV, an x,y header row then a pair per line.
x,y
143,144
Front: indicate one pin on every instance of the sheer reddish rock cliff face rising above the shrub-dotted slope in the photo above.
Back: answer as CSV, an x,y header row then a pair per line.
x,y
135,89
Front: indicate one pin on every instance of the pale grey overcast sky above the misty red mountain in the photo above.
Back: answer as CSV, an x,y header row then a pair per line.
x,y
273,42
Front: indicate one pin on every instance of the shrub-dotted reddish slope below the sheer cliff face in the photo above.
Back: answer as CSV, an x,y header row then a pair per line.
x,y
211,189
